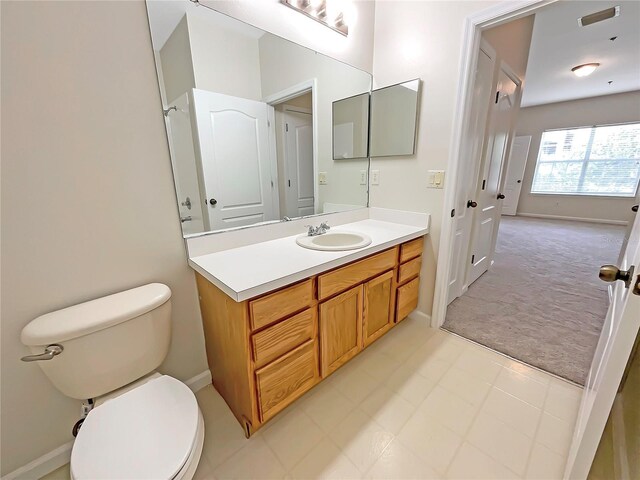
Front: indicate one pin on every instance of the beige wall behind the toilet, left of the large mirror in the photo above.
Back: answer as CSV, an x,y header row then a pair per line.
x,y
88,206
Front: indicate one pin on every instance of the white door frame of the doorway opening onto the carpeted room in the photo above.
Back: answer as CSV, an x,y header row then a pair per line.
x,y
473,26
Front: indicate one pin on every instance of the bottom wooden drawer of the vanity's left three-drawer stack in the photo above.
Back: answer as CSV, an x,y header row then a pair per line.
x,y
285,379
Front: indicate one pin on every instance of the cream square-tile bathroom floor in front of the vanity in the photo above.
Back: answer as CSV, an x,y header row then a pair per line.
x,y
419,403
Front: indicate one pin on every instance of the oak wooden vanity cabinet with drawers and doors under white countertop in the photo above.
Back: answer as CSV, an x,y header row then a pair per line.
x,y
267,351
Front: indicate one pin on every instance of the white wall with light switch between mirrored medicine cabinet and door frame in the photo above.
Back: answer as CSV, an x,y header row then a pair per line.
x,y
421,40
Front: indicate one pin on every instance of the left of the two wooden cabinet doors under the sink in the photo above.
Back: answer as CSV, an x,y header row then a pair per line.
x,y
340,329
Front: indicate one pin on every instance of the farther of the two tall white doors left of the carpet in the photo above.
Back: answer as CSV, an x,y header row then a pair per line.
x,y
486,215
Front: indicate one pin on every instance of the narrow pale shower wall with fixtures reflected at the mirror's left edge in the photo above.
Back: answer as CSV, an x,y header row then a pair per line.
x,y
183,161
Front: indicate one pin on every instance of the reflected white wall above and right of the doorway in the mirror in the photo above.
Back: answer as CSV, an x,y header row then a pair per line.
x,y
283,65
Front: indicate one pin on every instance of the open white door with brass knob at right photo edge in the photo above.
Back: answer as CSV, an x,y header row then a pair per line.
x,y
612,353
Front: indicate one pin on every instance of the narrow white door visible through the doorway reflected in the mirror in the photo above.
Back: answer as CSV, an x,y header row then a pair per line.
x,y
298,163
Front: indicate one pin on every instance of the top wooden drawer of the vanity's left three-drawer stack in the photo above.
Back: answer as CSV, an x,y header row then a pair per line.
x,y
281,304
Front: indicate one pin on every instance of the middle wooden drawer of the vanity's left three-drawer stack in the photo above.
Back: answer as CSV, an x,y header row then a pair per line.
x,y
283,337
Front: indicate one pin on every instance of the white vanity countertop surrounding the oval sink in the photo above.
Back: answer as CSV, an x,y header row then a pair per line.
x,y
252,270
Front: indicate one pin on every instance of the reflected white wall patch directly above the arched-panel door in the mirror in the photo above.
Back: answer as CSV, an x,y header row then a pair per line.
x,y
224,61
